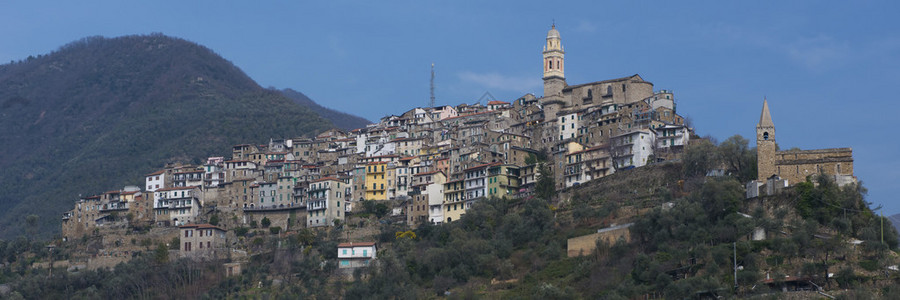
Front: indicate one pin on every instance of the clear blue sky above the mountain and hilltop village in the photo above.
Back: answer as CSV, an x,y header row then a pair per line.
x,y
828,68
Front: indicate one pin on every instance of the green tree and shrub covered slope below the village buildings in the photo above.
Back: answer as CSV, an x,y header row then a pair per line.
x,y
689,232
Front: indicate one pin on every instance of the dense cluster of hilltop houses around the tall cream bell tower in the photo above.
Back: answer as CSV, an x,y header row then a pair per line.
x,y
429,164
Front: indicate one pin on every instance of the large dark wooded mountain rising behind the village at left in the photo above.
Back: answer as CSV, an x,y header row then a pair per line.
x,y
101,112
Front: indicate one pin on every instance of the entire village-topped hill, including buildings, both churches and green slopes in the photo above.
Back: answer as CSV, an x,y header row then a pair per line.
x,y
599,189
